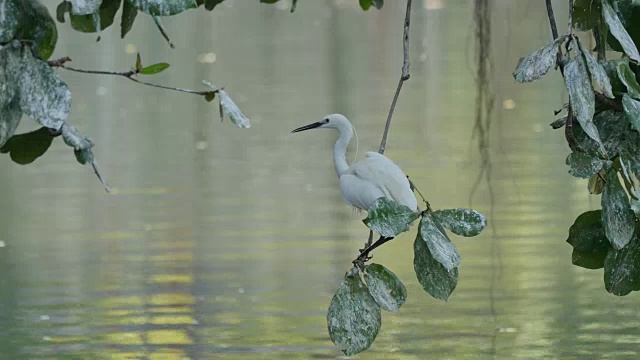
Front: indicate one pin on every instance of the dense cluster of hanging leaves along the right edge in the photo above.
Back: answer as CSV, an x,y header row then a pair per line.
x,y
606,144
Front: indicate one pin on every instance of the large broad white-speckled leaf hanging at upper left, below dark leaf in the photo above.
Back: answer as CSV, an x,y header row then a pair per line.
x,y
43,95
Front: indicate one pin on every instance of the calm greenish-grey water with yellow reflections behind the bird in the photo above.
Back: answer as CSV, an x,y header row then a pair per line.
x,y
226,243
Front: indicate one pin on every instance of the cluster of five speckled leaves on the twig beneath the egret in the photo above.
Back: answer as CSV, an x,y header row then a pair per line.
x,y
354,312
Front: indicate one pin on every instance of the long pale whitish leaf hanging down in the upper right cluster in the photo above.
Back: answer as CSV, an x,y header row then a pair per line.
x,y
581,95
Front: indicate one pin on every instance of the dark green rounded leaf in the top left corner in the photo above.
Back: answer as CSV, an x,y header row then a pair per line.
x,y
37,25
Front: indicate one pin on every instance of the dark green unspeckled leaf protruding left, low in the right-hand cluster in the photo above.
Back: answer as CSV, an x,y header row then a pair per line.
x,y
587,233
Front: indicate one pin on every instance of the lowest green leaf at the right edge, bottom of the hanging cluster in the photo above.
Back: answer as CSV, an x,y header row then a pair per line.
x,y
622,269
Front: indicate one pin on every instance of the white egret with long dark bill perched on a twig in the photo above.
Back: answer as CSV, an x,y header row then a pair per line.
x,y
367,180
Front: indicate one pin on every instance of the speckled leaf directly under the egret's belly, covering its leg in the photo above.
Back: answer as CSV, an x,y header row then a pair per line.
x,y
388,218
